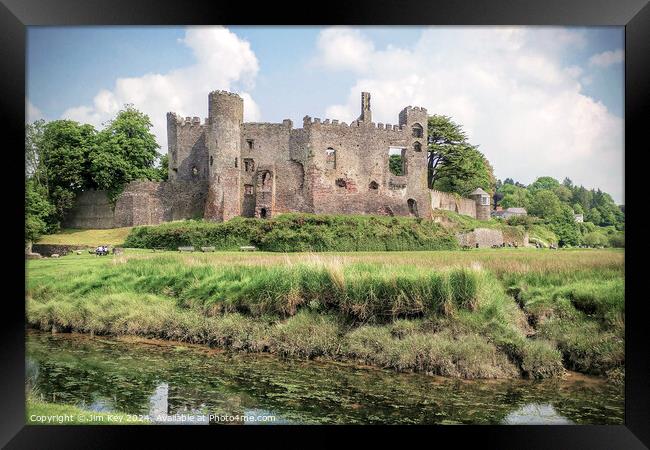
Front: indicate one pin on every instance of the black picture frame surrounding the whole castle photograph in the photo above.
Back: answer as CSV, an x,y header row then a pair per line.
x,y
634,15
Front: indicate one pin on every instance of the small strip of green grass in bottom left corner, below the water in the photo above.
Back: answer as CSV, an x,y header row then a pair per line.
x,y
39,412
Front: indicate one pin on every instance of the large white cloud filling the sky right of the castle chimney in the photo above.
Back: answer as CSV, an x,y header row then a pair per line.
x,y
509,89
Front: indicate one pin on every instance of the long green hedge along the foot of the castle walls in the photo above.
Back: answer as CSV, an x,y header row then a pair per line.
x,y
299,233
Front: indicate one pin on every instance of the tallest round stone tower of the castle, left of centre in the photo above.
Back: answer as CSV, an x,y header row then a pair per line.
x,y
223,139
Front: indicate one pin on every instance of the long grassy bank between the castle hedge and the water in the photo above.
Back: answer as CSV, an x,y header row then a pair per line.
x,y
461,314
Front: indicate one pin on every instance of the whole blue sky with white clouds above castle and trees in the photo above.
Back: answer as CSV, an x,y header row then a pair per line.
x,y
538,101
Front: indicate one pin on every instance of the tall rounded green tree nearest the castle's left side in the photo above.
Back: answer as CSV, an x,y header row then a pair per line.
x,y
124,151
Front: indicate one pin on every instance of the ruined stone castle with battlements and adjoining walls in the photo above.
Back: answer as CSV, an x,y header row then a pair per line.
x,y
224,167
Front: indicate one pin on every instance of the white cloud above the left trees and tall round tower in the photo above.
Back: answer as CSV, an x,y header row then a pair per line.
x,y
223,61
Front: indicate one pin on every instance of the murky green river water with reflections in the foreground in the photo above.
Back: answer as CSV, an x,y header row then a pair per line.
x,y
177,383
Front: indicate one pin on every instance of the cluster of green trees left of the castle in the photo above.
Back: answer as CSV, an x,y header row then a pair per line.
x,y
64,158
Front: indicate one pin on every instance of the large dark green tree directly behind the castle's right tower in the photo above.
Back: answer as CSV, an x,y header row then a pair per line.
x,y
454,165
